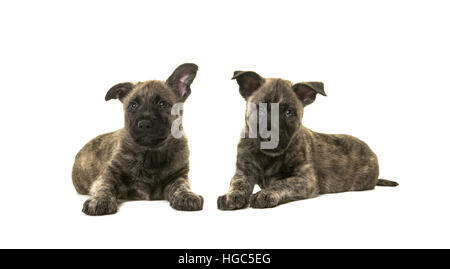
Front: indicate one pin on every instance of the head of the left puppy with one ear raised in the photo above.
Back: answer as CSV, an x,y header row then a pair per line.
x,y
147,105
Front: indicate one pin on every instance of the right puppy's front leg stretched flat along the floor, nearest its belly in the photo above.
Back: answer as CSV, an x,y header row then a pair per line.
x,y
285,190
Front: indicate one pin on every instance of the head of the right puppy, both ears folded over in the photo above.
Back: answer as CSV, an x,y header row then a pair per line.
x,y
291,99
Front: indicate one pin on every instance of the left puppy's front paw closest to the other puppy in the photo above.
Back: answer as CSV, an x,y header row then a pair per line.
x,y
180,196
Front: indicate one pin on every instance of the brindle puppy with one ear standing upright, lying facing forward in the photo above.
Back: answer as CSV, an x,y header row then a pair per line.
x,y
141,161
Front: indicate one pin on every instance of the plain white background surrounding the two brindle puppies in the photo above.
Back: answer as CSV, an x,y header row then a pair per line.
x,y
385,65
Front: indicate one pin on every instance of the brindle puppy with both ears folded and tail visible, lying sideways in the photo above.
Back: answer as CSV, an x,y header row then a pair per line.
x,y
304,164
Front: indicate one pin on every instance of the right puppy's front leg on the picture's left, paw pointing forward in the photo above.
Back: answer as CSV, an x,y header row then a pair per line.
x,y
238,195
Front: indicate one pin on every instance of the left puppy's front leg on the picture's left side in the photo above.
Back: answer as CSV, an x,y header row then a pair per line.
x,y
103,200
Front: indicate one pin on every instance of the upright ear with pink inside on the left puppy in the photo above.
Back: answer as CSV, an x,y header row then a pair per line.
x,y
181,79
